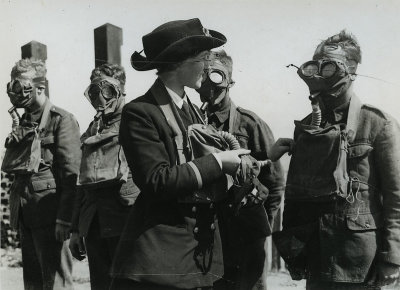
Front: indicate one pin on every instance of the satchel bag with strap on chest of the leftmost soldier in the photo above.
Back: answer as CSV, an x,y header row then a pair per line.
x,y
23,154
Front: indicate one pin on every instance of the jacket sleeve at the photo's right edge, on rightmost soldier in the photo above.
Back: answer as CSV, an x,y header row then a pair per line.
x,y
387,156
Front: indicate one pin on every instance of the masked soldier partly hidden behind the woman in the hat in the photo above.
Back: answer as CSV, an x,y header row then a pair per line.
x,y
244,234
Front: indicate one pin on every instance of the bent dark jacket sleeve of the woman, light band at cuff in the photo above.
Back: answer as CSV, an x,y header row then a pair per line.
x,y
150,160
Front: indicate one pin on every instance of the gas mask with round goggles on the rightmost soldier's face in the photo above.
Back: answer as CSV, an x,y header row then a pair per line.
x,y
326,77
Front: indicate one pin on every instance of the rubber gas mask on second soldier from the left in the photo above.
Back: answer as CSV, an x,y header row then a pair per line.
x,y
103,94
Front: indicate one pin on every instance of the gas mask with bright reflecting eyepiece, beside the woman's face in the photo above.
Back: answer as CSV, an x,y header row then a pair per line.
x,y
216,82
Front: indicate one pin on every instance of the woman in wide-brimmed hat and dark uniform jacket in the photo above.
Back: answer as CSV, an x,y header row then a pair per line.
x,y
170,240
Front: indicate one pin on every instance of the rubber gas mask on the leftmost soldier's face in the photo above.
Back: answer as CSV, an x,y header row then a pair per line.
x,y
22,91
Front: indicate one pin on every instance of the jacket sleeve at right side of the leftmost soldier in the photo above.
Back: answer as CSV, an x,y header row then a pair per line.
x,y
67,160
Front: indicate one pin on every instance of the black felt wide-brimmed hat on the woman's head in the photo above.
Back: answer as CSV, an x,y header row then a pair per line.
x,y
173,42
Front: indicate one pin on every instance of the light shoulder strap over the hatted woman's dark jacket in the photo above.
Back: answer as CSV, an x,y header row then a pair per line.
x,y
167,107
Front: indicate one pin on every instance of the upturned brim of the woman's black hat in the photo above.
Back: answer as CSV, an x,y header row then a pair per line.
x,y
183,46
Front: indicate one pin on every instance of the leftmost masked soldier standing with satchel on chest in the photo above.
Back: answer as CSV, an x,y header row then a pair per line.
x,y
43,151
